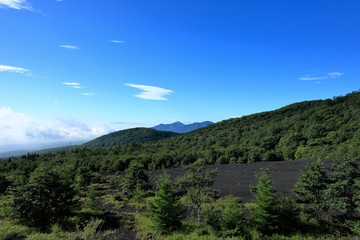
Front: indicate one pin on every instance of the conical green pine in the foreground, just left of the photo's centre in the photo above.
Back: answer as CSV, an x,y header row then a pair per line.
x,y
165,210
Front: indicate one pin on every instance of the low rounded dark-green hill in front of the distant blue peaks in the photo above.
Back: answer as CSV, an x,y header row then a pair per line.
x,y
133,135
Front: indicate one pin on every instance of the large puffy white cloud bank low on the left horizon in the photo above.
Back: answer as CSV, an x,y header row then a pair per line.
x,y
20,128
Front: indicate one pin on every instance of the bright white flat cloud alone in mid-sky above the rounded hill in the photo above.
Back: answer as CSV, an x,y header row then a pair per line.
x,y
151,92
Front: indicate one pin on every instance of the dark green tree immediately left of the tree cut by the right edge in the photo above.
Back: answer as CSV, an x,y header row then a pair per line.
x,y
310,189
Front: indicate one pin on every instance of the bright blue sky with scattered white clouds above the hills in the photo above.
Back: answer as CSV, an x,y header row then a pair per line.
x,y
70,70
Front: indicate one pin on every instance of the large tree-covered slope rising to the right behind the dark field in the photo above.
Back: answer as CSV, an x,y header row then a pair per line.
x,y
310,129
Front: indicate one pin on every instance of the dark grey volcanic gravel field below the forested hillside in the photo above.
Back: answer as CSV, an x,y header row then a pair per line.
x,y
236,179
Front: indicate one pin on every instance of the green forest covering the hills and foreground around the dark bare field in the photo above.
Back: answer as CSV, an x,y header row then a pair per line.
x,y
103,189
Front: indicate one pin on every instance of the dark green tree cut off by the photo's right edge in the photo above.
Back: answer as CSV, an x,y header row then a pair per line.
x,y
341,192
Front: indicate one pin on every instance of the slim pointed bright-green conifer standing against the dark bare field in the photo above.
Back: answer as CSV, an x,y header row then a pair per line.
x,y
264,213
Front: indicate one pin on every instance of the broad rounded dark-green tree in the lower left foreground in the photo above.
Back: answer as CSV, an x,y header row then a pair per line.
x,y
46,199
